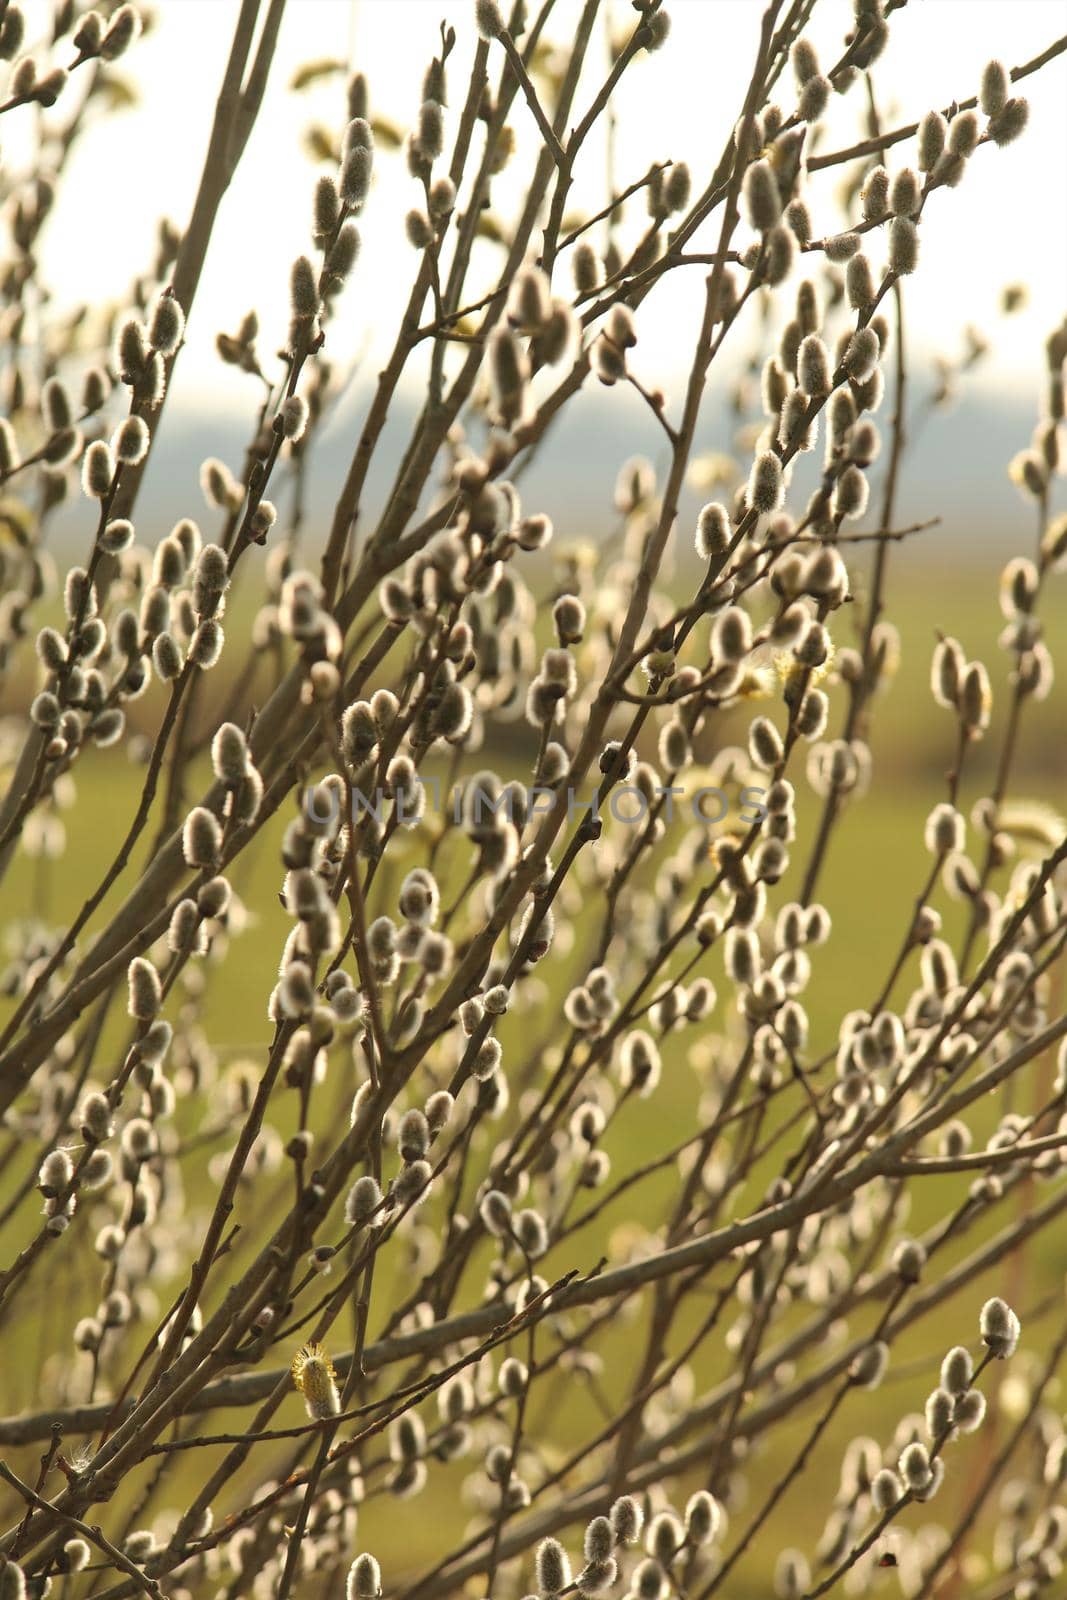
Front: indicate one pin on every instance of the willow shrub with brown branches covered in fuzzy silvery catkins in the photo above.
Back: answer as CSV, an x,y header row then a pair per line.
x,y
481,1004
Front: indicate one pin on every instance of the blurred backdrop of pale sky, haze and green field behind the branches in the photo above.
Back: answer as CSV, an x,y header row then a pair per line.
x,y
1005,230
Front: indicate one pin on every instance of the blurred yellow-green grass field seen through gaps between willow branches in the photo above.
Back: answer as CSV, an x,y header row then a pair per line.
x,y
876,870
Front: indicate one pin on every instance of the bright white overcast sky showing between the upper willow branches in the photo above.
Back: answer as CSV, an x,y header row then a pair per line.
x,y
1005,223
